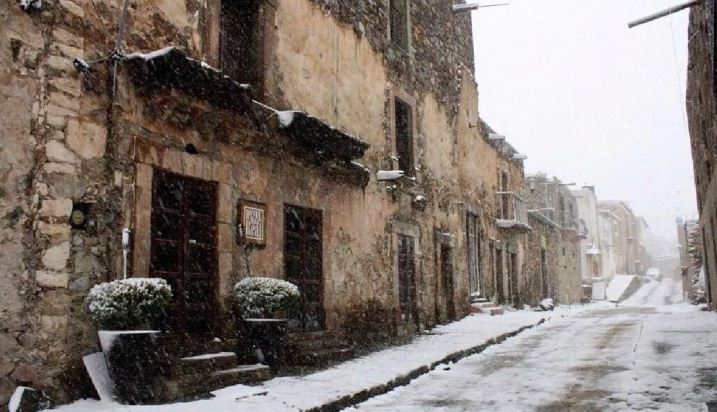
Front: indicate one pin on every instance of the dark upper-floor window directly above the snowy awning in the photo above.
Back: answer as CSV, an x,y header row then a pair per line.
x,y
240,40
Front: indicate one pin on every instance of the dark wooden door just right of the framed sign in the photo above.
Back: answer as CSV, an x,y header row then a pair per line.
x,y
303,264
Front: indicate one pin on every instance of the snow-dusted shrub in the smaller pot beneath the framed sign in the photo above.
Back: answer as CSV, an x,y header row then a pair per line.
x,y
263,297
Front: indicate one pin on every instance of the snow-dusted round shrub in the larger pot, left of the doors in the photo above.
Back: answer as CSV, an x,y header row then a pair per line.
x,y
129,303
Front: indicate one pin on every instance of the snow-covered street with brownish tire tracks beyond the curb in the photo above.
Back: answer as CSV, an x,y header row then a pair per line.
x,y
647,353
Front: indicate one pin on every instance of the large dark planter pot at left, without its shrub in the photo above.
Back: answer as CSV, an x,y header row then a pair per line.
x,y
133,364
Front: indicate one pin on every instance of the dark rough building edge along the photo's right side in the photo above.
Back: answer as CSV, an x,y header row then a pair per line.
x,y
702,121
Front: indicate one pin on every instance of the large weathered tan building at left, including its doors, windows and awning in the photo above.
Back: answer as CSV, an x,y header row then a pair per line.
x,y
245,141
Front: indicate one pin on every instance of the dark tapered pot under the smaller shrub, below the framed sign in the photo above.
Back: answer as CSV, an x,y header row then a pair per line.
x,y
268,338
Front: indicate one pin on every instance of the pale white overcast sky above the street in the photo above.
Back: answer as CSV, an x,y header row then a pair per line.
x,y
591,101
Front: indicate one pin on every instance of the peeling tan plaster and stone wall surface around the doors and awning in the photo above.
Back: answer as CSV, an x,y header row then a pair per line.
x,y
69,142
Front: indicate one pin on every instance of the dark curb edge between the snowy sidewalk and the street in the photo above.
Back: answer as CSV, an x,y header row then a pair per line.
x,y
403,380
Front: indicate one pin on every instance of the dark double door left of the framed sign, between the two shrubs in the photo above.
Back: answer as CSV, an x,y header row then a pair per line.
x,y
184,249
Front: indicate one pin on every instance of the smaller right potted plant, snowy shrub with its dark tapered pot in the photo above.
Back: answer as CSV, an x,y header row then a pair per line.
x,y
263,305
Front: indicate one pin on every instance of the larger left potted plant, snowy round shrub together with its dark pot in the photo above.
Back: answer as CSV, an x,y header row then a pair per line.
x,y
125,312
